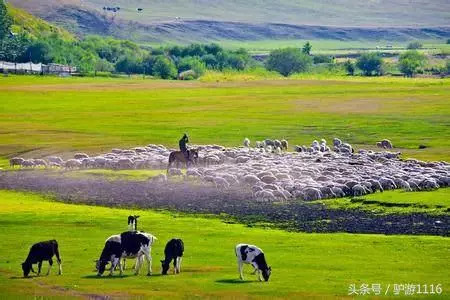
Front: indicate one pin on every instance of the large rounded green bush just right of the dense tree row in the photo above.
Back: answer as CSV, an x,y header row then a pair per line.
x,y
288,61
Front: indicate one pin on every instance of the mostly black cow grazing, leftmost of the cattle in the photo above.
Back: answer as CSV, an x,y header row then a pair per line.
x,y
39,252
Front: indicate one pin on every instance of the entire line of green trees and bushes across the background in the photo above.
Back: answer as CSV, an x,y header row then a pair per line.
x,y
94,54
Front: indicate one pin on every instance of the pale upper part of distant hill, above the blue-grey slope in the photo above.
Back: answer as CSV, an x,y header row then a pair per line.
x,y
384,13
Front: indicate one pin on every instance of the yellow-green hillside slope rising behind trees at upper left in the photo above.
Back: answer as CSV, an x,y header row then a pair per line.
x,y
35,27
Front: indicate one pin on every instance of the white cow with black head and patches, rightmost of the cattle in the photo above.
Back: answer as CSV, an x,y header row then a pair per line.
x,y
250,254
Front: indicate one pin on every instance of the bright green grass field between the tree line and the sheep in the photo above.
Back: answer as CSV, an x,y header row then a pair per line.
x,y
45,115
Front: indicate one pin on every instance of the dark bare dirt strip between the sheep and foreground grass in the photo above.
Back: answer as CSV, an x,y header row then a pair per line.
x,y
234,203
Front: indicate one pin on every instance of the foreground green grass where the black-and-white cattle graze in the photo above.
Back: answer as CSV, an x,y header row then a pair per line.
x,y
304,265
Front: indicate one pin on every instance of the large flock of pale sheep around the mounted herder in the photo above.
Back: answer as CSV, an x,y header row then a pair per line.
x,y
318,171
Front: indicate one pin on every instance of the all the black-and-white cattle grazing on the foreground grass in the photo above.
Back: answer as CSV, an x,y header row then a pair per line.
x,y
137,244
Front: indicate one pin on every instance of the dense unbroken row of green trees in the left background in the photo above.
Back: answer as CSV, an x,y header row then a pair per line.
x,y
97,54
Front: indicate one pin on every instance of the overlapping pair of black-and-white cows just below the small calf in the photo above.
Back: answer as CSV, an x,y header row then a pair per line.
x,y
132,244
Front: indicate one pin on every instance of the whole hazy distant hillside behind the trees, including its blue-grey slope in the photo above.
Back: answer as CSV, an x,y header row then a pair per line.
x,y
184,21
